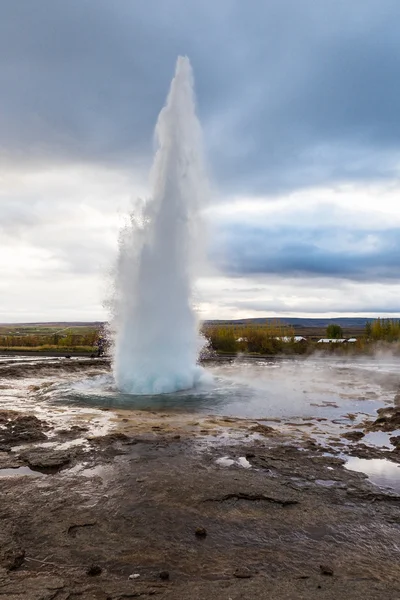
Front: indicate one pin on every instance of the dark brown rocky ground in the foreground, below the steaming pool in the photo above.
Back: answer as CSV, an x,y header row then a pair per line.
x,y
150,509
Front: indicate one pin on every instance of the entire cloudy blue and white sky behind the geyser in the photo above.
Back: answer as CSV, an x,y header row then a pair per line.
x,y
300,106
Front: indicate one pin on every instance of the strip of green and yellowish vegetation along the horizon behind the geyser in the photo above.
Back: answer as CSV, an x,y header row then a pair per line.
x,y
271,337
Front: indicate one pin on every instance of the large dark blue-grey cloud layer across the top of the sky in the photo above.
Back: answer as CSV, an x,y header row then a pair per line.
x,y
291,92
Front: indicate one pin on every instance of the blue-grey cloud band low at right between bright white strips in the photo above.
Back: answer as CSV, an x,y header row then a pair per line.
x,y
334,252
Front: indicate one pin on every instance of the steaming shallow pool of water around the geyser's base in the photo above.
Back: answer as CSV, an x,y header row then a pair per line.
x,y
285,389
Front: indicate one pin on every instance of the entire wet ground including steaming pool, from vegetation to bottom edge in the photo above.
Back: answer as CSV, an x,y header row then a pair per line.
x,y
286,487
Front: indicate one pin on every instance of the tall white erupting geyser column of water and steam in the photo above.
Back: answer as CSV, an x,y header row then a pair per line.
x,y
156,331
